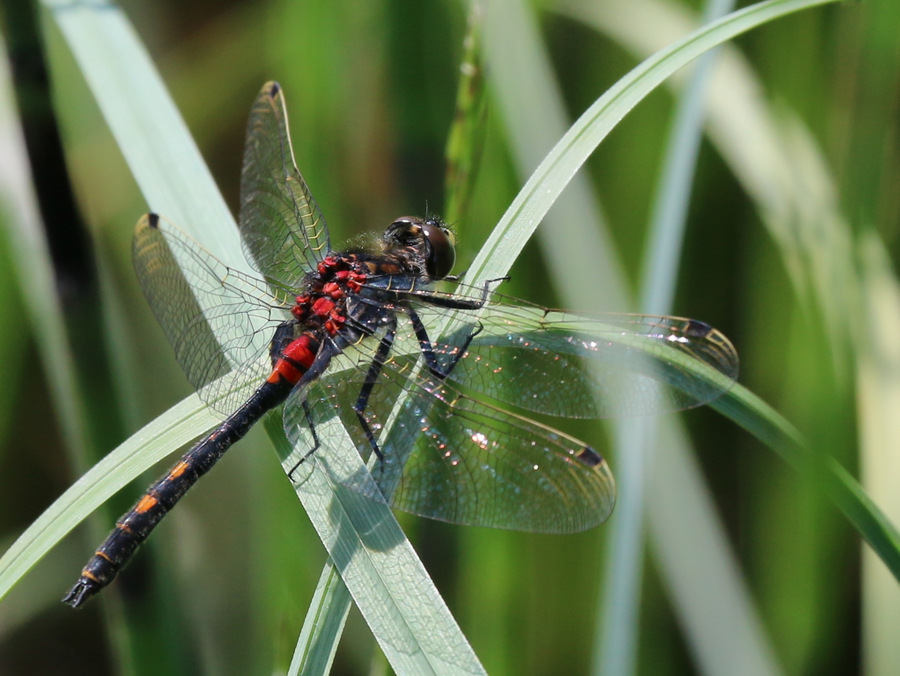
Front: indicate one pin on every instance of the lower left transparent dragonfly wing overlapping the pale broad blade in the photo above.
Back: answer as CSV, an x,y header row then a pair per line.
x,y
218,320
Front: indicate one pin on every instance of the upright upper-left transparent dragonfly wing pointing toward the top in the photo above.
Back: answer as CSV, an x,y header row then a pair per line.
x,y
283,230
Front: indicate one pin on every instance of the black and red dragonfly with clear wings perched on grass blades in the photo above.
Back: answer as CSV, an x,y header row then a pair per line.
x,y
448,393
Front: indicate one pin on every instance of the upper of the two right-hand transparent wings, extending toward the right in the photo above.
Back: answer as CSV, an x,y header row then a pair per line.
x,y
576,366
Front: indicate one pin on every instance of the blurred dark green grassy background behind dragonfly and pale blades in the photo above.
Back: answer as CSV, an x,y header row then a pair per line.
x,y
792,234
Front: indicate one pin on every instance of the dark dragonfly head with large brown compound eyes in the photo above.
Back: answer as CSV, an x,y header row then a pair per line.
x,y
427,244
